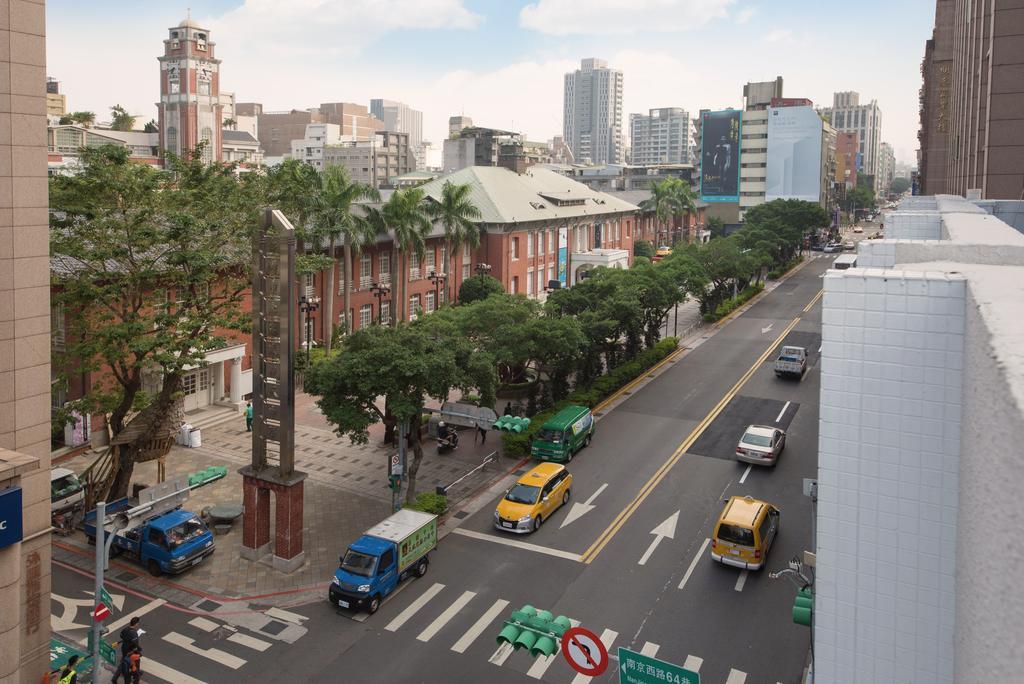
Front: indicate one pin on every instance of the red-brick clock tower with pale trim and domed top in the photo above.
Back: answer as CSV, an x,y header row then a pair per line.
x,y
190,93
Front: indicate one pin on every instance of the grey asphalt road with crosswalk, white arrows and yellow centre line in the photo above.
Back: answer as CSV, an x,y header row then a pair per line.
x,y
661,460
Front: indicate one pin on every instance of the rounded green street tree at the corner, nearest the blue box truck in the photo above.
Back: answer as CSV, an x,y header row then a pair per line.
x,y
405,366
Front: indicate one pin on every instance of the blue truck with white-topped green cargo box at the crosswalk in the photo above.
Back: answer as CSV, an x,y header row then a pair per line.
x,y
388,553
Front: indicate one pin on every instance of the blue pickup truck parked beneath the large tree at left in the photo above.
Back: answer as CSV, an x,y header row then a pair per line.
x,y
172,542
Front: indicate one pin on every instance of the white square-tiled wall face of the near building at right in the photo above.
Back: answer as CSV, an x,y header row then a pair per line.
x,y
889,445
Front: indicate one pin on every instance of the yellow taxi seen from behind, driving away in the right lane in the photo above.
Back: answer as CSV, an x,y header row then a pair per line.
x,y
745,533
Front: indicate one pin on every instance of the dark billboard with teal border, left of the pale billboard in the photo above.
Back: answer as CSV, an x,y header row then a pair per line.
x,y
720,156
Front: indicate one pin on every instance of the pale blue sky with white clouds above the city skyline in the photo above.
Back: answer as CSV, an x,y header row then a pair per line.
x,y
502,62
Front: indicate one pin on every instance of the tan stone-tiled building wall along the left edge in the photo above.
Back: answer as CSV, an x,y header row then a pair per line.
x,y
25,327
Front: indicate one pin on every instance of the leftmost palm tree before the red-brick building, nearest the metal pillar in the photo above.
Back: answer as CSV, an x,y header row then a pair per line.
x,y
334,222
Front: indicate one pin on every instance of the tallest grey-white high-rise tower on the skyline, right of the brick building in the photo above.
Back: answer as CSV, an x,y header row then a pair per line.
x,y
592,120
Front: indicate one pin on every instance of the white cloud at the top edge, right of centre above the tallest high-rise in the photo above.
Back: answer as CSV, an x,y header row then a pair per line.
x,y
563,18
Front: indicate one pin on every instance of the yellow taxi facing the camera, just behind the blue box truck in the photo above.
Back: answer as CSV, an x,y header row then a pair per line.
x,y
532,501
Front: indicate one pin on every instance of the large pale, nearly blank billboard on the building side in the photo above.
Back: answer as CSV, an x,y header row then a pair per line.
x,y
794,168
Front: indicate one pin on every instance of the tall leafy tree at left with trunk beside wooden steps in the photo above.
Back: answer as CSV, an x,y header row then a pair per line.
x,y
150,267
